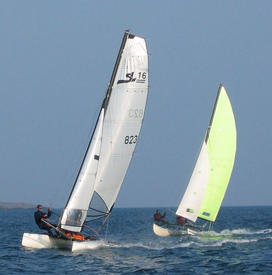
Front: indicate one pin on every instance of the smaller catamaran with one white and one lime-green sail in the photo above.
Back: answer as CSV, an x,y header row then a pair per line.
x,y
211,175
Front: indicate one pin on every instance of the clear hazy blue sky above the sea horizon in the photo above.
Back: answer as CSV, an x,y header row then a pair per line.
x,y
56,60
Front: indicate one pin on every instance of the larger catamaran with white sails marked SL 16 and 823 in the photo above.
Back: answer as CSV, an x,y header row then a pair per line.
x,y
108,155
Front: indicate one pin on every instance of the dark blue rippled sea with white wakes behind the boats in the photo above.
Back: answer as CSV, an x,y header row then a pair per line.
x,y
241,244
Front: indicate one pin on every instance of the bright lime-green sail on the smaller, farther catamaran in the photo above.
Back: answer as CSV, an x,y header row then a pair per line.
x,y
221,143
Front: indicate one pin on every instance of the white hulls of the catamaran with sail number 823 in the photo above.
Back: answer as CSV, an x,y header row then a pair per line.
x,y
39,241
